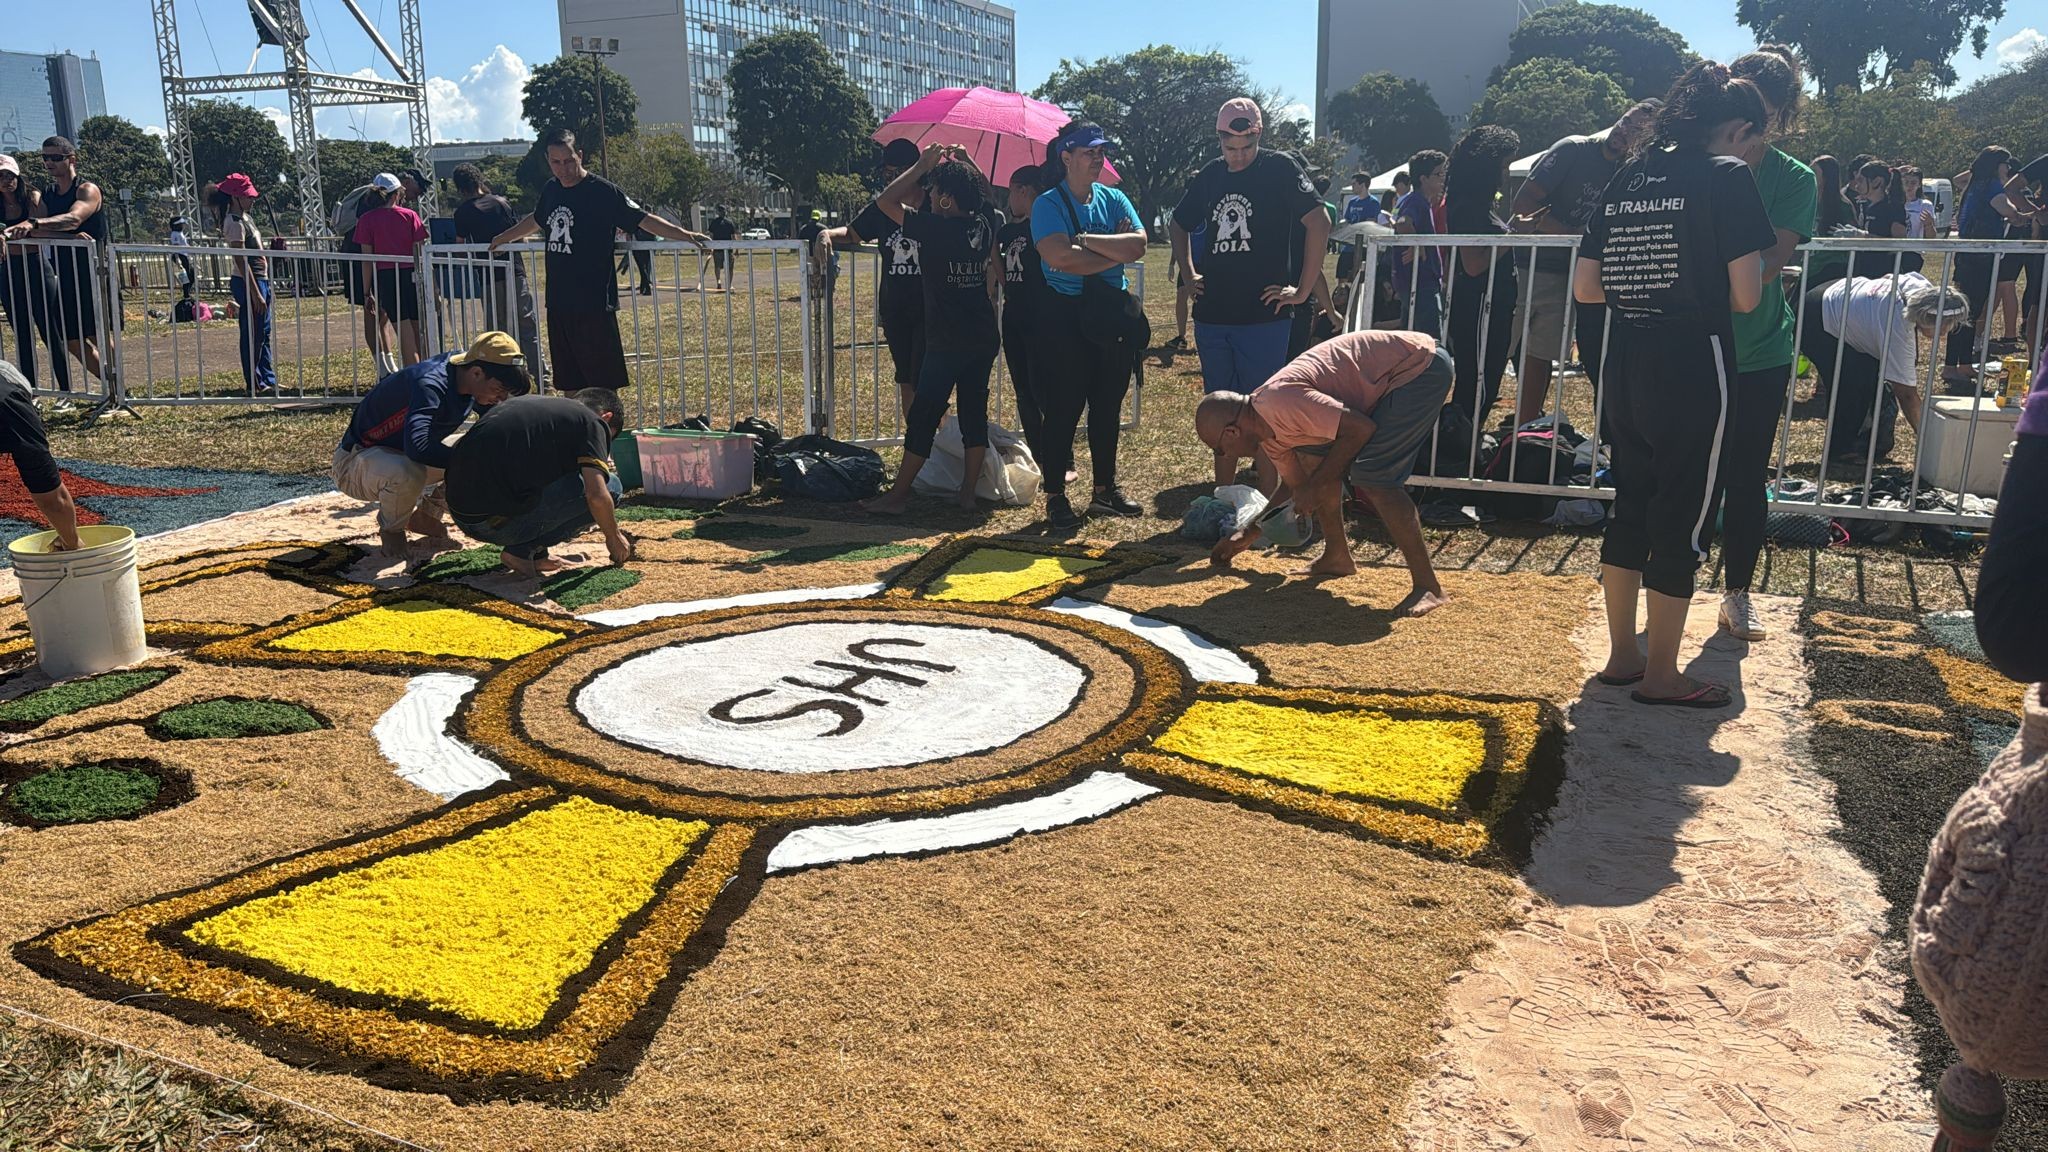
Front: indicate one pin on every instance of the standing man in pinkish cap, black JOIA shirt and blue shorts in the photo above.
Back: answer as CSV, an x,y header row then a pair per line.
x,y
1246,206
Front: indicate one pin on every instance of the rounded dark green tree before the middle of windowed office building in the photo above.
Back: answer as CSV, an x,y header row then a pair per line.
x,y
796,112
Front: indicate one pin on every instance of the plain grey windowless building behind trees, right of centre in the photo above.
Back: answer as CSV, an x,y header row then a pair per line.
x,y
1451,46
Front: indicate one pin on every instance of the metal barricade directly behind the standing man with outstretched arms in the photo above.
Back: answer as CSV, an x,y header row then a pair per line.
x,y
716,331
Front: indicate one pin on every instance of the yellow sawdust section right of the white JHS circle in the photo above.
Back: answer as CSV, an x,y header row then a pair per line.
x,y
1345,753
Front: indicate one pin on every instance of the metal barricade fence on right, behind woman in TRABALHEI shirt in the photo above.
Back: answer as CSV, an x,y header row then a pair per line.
x,y
1816,462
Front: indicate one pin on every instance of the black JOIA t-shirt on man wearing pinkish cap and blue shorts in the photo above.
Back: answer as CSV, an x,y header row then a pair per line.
x,y
1248,220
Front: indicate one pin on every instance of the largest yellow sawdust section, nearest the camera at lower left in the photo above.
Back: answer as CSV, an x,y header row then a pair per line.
x,y
486,928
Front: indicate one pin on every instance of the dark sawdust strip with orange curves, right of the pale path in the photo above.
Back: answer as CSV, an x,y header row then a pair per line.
x,y
1893,790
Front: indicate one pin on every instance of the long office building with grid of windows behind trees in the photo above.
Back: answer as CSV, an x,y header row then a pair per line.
x,y
677,52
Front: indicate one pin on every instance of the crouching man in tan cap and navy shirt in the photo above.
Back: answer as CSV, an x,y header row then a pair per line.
x,y
396,446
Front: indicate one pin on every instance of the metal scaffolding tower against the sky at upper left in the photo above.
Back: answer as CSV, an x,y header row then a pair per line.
x,y
284,24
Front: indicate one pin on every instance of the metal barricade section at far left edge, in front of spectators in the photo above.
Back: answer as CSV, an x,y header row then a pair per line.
x,y
58,317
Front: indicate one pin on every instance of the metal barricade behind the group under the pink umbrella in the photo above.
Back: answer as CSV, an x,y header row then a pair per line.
x,y
857,380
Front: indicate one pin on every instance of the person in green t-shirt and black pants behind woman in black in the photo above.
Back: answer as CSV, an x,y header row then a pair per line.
x,y
1764,345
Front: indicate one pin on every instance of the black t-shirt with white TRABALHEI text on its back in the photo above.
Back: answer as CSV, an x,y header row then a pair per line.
x,y
1666,233
